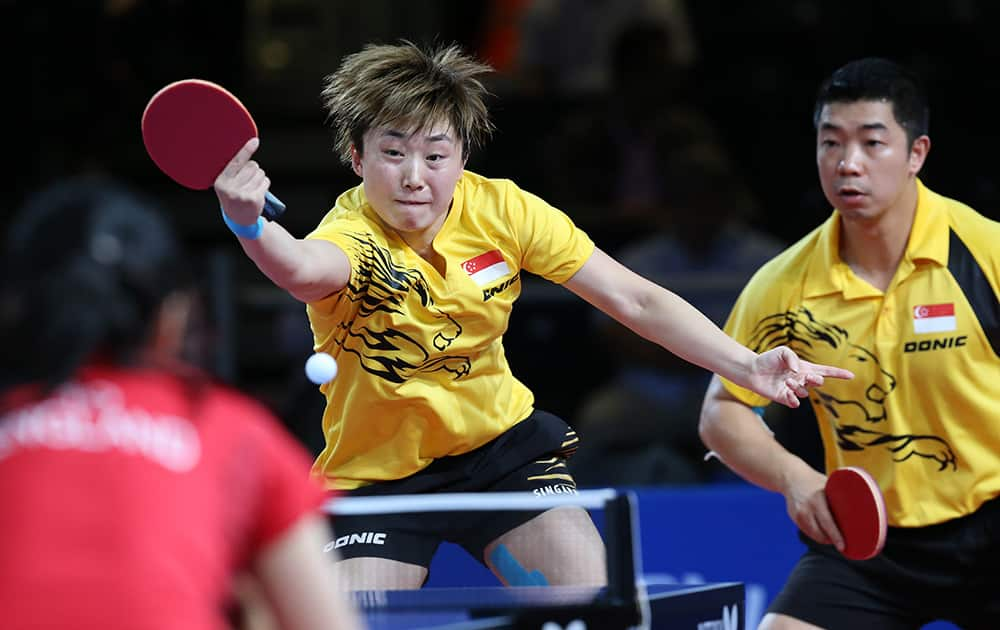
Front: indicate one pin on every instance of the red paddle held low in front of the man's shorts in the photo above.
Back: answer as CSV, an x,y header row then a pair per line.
x,y
859,510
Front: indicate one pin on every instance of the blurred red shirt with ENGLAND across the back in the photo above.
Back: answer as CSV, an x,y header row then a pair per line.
x,y
128,499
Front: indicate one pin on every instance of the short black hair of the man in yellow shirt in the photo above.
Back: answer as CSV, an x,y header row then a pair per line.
x,y
878,79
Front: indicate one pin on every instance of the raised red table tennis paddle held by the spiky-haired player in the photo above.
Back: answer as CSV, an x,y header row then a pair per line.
x,y
193,128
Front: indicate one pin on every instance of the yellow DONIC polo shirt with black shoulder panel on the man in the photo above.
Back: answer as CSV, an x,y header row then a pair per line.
x,y
923,412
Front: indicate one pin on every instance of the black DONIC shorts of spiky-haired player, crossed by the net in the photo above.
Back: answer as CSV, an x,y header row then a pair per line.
x,y
530,456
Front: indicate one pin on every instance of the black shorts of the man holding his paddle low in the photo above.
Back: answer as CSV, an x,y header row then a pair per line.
x,y
949,571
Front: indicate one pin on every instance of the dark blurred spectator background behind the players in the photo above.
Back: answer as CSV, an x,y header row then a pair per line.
x,y
640,119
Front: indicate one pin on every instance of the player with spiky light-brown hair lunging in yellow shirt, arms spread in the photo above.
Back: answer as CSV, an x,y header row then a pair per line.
x,y
409,282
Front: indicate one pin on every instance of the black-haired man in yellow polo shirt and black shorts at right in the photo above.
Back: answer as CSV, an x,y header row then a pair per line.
x,y
899,285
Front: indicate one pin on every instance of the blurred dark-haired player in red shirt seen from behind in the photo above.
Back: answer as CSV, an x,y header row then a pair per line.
x,y
133,488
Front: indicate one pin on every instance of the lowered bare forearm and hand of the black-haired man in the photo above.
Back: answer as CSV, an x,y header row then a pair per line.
x,y
736,436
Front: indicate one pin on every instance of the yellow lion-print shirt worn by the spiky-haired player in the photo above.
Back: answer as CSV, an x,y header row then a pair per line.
x,y
422,372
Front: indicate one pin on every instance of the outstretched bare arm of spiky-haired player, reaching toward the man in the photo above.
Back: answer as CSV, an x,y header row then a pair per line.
x,y
668,320
